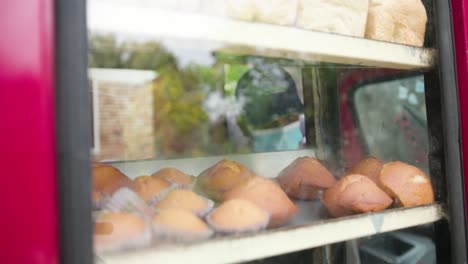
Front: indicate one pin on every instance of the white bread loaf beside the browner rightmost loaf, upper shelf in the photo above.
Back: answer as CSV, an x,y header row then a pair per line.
x,y
347,17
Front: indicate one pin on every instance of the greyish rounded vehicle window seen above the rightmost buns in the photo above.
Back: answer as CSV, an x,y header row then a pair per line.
x,y
392,119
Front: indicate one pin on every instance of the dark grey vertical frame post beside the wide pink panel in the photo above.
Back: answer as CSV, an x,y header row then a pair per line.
x,y
73,133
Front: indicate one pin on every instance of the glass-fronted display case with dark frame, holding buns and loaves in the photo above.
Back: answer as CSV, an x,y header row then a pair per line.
x,y
282,131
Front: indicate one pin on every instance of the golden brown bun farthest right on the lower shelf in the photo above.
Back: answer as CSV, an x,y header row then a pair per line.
x,y
408,184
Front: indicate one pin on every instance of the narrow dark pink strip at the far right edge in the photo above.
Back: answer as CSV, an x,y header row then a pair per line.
x,y
460,26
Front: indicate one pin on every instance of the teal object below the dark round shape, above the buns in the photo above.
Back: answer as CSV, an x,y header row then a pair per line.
x,y
277,139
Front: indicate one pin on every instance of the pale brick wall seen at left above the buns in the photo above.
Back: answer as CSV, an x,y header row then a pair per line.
x,y
125,121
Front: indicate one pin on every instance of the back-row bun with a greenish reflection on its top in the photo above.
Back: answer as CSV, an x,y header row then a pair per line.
x,y
222,177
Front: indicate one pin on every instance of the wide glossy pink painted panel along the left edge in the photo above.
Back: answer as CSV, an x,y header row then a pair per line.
x,y
28,222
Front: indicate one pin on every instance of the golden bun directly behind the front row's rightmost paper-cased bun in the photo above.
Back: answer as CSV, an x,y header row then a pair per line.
x,y
267,195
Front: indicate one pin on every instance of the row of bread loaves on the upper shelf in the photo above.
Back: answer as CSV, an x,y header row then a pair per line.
x,y
399,21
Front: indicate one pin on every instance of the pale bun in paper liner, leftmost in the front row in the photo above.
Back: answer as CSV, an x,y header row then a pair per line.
x,y
115,231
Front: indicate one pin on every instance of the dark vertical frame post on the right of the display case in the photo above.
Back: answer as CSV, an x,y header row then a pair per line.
x,y
451,129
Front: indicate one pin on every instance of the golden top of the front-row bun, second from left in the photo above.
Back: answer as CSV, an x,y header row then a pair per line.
x,y
180,220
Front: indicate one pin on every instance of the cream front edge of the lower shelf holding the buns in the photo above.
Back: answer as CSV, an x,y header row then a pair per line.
x,y
289,239
